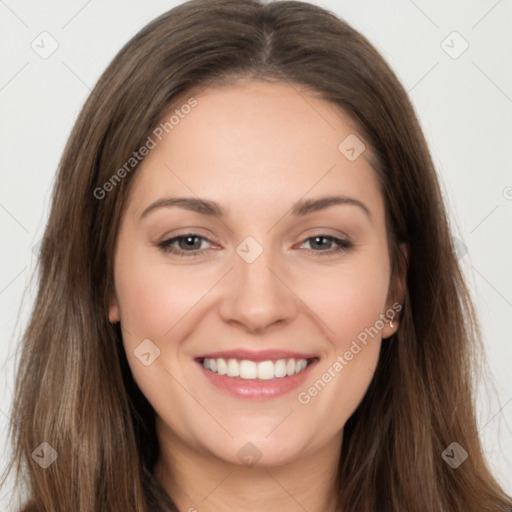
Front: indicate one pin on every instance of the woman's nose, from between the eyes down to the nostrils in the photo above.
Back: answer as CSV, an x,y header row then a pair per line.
x,y
257,295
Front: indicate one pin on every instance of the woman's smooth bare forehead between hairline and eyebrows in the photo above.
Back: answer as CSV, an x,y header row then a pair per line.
x,y
256,140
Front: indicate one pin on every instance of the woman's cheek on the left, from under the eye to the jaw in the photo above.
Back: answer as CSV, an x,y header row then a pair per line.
x,y
154,301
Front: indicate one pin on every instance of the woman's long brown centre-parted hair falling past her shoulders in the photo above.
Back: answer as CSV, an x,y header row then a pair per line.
x,y
74,389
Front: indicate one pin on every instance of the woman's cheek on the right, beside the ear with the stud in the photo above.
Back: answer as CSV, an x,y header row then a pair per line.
x,y
350,304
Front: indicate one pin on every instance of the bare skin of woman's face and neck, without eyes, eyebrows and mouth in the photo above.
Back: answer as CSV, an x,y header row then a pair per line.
x,y
255,148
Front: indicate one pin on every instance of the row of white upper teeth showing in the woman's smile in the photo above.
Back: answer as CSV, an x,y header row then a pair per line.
x,y
263,370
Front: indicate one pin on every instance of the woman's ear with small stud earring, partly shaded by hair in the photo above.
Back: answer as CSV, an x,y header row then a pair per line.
x,y
397,292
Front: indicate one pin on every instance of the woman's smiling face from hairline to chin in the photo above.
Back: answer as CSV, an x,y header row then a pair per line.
x,y
269,277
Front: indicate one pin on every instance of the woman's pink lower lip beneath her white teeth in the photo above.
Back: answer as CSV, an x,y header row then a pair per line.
x,y
257,389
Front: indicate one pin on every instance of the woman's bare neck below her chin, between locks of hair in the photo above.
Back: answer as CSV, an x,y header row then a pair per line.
x,y
198,481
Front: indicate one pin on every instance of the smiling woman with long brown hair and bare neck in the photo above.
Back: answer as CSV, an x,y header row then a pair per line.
x,y
256,369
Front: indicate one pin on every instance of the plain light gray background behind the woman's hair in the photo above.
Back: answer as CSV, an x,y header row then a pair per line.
x,y
464,105
